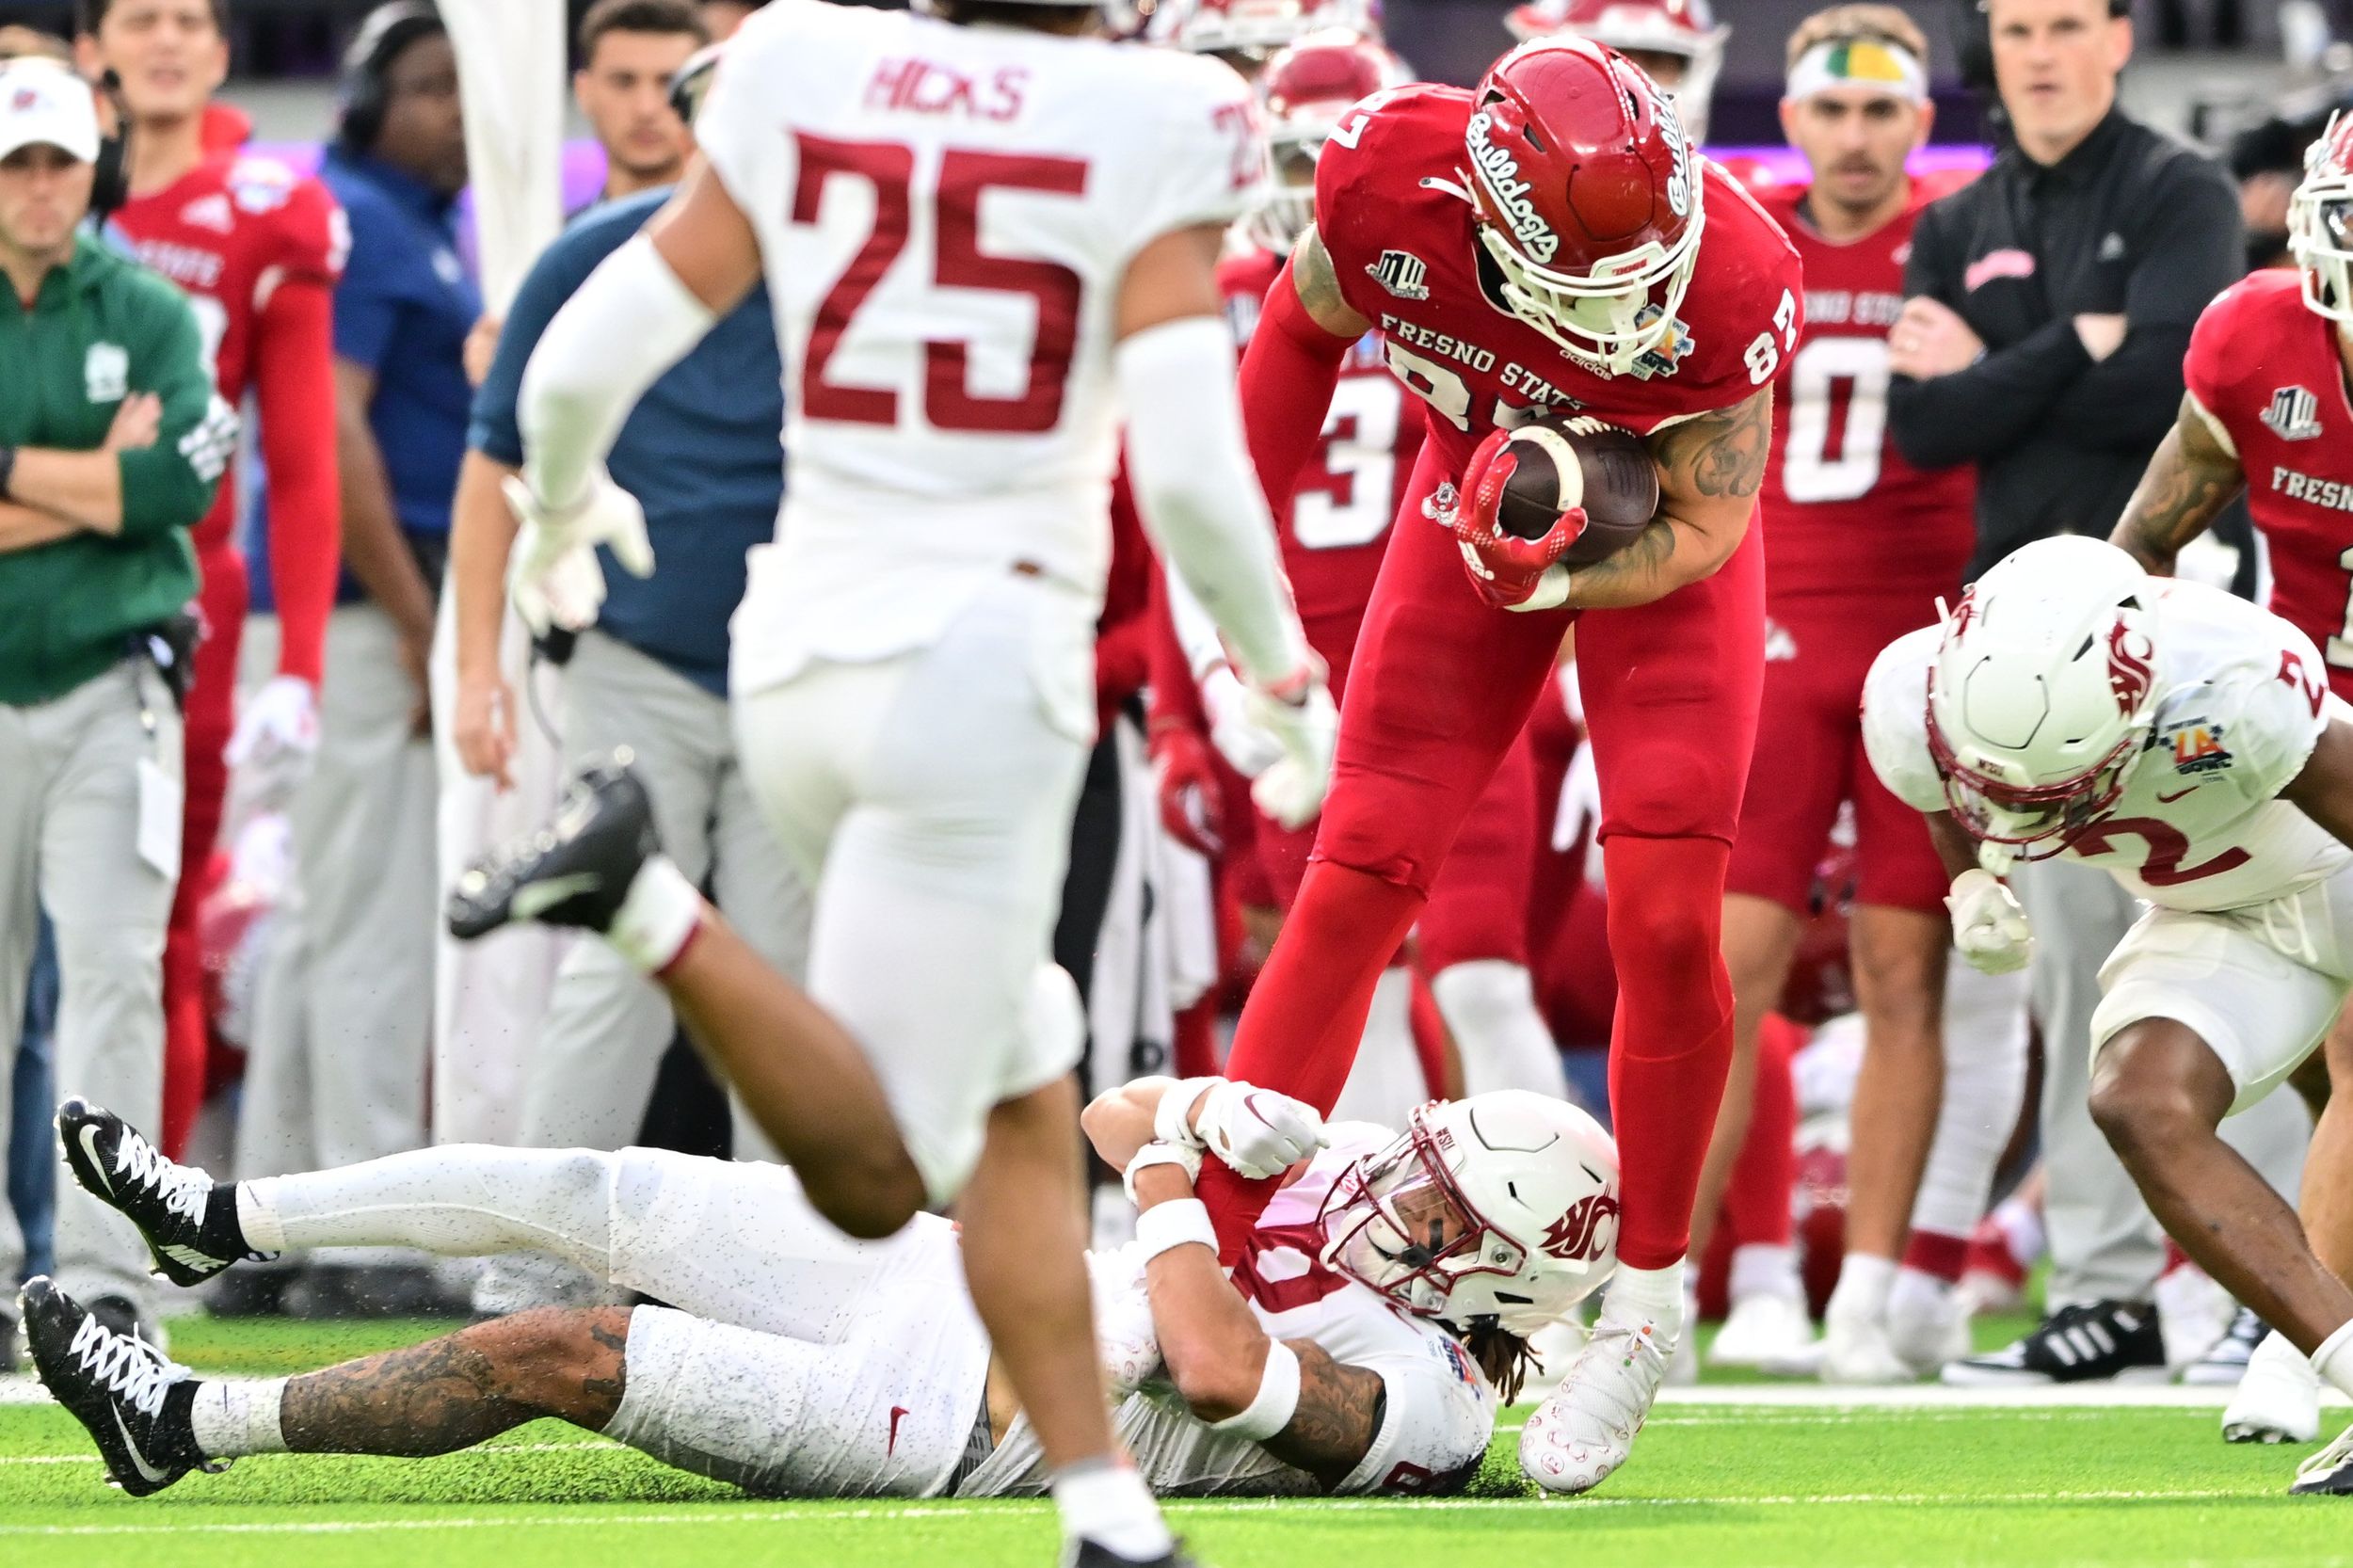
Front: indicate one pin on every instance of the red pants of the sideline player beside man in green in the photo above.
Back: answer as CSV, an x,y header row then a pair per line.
x,y
211,722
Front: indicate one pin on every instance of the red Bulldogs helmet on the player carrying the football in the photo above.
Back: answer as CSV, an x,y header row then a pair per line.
x,y
1589,201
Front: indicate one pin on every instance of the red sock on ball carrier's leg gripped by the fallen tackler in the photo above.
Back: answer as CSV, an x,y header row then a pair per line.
x,y
1307,1014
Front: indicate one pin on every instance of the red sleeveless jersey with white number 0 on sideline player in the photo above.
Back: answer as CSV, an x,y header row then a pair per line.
x,y
1844,512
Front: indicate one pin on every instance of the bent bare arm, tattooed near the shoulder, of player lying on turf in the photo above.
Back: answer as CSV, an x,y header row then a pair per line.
x,y
1215,1355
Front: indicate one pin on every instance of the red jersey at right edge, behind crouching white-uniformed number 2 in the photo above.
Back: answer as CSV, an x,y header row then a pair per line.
x,y
2267,371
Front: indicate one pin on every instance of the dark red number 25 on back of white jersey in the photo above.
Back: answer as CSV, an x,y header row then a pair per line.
x,y
959,263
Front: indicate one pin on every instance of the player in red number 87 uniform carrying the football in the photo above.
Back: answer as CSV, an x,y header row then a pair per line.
x,y
1538,244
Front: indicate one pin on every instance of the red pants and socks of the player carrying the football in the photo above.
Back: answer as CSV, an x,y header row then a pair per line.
x,y
1444,684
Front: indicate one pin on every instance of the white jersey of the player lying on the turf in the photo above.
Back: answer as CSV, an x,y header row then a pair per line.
x,y
1439,1407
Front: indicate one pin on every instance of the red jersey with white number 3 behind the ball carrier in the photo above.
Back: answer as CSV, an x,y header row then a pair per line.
x,y
1335,526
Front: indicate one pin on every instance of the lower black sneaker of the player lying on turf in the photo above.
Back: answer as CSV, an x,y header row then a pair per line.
x,y
131,1397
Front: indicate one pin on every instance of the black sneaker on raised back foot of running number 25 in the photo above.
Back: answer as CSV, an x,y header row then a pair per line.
x,y
573,872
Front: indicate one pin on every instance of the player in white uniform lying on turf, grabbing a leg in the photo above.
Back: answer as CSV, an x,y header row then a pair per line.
x,y
1361,1346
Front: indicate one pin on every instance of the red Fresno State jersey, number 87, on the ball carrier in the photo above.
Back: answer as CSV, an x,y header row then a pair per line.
x,y
1397,218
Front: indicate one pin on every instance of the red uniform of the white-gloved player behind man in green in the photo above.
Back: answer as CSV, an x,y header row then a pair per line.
x,y
258,253
